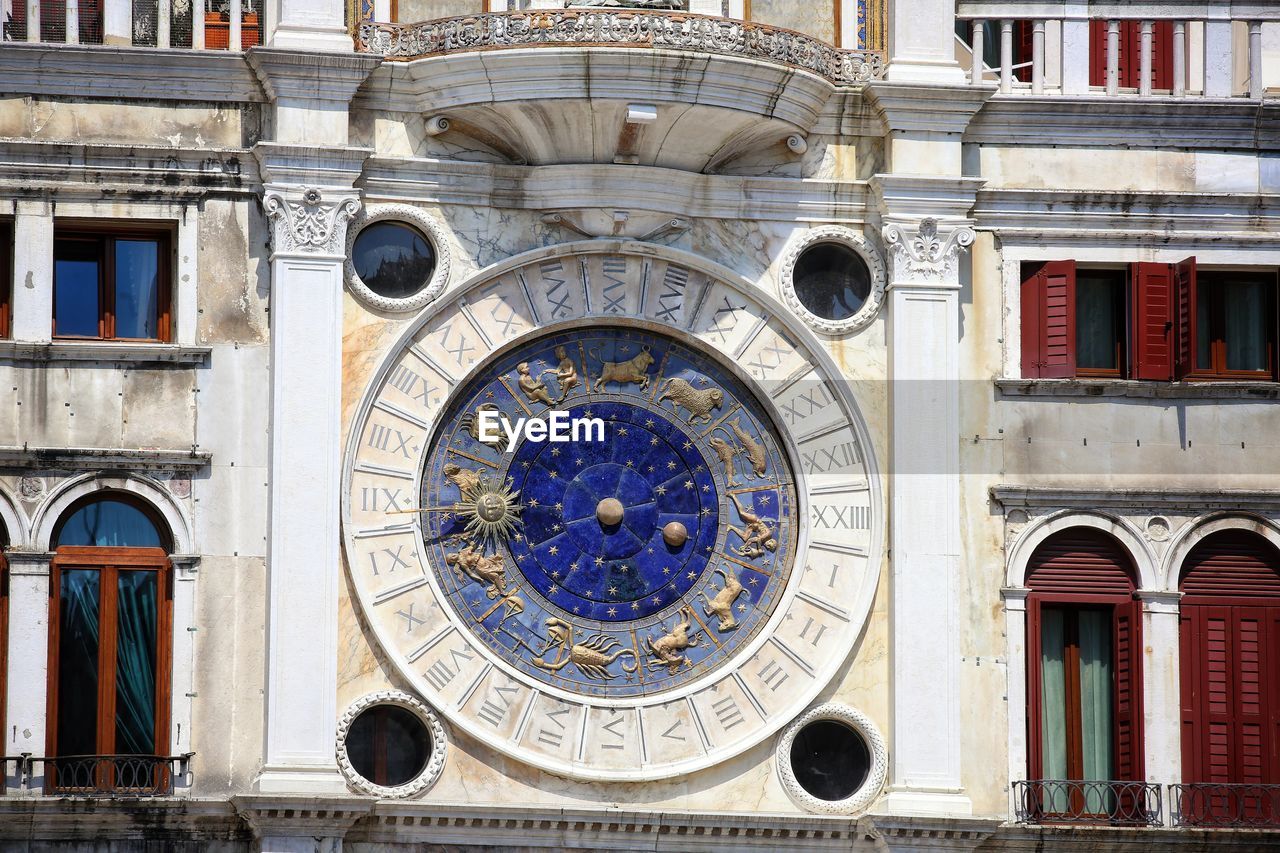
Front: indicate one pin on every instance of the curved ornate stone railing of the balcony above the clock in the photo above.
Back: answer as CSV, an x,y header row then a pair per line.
x,y
619,29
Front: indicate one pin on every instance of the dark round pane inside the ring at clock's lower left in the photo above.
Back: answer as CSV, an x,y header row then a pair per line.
x,y
390,746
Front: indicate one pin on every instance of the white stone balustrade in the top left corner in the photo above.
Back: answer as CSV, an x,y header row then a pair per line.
x,y
222,25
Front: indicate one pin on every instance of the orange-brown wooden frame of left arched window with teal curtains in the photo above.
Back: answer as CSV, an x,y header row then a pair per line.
x,y
109,562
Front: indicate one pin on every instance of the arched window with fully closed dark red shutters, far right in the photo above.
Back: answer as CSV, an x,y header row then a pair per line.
x,y
1231,654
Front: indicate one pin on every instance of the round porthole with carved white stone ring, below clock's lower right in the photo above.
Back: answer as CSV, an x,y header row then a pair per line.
x,y
833,760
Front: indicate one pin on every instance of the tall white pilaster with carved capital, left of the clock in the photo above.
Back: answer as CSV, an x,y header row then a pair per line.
x,y
309,229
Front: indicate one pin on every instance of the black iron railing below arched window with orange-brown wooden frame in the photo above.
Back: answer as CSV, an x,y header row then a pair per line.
x,y
102,776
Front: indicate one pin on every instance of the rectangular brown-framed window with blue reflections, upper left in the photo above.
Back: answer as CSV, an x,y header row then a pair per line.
x,y
112,286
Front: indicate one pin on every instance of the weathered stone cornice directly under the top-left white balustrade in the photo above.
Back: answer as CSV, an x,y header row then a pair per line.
x,y
131,74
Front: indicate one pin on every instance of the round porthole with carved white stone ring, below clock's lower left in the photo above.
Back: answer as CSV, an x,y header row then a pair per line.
x,y
391,745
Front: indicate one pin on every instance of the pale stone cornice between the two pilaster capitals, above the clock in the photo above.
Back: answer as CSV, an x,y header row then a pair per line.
x,y
568,188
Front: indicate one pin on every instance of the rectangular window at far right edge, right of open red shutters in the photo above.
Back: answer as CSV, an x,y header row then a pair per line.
x,y
1236,326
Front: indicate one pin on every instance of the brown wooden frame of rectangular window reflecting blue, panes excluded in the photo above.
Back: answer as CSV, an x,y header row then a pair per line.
x,y
106,236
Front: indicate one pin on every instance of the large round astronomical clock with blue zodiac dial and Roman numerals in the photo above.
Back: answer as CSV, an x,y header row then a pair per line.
x,y
665,590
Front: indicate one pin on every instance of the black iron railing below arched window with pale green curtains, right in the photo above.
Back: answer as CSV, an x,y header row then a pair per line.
x,y
1109,804
